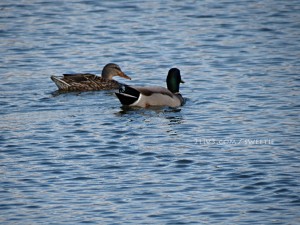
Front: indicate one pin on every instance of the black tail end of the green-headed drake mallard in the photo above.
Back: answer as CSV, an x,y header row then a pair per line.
x,y
127,95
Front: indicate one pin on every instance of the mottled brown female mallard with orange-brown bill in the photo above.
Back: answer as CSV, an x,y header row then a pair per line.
x,y
90,82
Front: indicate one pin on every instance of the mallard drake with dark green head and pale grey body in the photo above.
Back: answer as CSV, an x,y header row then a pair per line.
x,y
144,97
